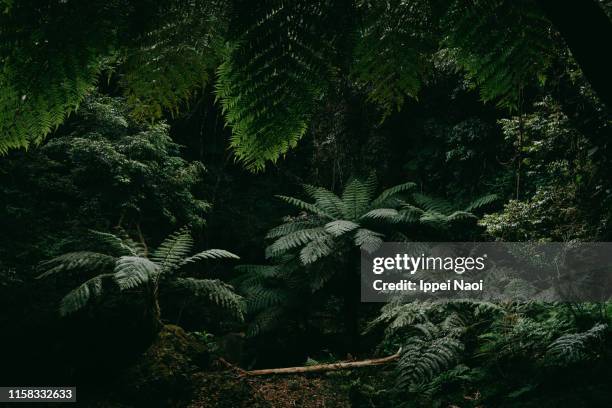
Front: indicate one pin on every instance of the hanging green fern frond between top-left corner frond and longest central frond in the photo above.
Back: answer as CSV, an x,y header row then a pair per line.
x,y
172,59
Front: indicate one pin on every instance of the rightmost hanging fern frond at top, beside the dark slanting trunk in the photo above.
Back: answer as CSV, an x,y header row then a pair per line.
x,y
501,62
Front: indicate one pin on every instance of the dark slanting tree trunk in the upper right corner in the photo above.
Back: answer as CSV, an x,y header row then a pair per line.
x,y
587,30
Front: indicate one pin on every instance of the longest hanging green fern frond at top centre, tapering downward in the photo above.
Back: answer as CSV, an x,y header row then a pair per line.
x,y
272,74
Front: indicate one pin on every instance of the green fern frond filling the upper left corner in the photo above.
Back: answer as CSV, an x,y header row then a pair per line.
x,y
50,59
